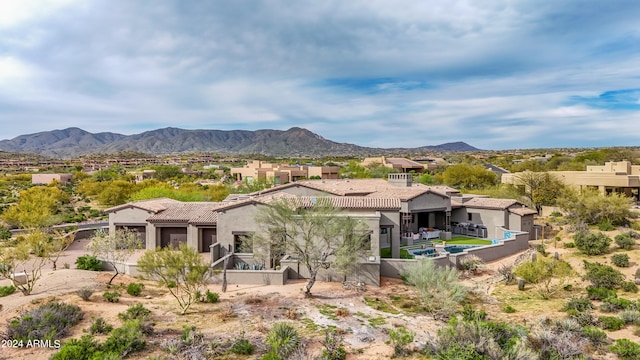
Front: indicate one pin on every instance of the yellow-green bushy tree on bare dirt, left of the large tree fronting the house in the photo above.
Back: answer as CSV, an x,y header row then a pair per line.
x,y
183,271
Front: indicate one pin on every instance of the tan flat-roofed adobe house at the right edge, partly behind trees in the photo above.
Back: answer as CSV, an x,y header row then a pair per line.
x,y
619,177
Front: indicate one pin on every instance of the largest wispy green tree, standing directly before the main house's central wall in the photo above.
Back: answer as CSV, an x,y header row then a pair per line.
x,y
315,233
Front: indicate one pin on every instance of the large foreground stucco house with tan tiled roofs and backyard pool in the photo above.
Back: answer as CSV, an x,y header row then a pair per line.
x,y
390,209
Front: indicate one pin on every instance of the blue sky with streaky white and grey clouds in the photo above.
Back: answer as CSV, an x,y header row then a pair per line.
x,y
495,74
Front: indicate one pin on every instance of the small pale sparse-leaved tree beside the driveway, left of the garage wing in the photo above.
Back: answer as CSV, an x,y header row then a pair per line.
x,y
115,249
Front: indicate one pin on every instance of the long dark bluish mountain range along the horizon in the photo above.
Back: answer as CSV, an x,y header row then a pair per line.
x,y
74,142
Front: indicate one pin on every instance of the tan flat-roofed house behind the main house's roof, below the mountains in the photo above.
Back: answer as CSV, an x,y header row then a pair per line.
x,y
281,173
